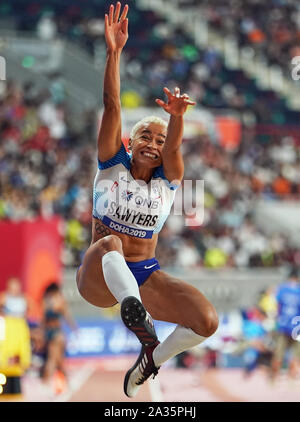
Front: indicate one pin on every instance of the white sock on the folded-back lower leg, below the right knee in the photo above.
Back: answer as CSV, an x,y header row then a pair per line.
x,y
178,341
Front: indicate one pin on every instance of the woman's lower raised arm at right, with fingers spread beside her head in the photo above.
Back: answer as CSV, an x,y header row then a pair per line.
x,y
171,155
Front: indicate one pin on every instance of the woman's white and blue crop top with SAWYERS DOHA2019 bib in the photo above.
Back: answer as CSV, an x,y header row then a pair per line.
x,y
127,205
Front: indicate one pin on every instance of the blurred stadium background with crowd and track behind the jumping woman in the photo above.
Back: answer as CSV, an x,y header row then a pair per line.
x,y
235,59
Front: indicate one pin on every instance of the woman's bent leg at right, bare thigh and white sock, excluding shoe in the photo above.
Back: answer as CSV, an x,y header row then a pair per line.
x,y
170,299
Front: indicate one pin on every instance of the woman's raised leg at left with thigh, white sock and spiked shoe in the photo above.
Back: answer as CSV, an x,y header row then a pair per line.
x,y
104,285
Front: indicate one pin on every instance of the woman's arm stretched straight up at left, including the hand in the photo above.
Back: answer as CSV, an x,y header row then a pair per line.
x,y
116,35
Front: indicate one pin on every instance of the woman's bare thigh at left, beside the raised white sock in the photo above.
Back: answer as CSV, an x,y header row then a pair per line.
x,y
90,280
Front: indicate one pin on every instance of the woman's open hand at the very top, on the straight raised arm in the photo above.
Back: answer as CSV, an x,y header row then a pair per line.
x,y
116,30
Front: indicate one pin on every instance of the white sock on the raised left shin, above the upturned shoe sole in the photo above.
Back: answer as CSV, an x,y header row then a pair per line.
x,y
118,277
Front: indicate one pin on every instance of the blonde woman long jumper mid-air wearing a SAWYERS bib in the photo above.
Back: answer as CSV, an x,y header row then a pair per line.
x,y
132,197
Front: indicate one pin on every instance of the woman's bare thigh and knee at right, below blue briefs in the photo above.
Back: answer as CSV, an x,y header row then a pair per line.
x,y
170,299
